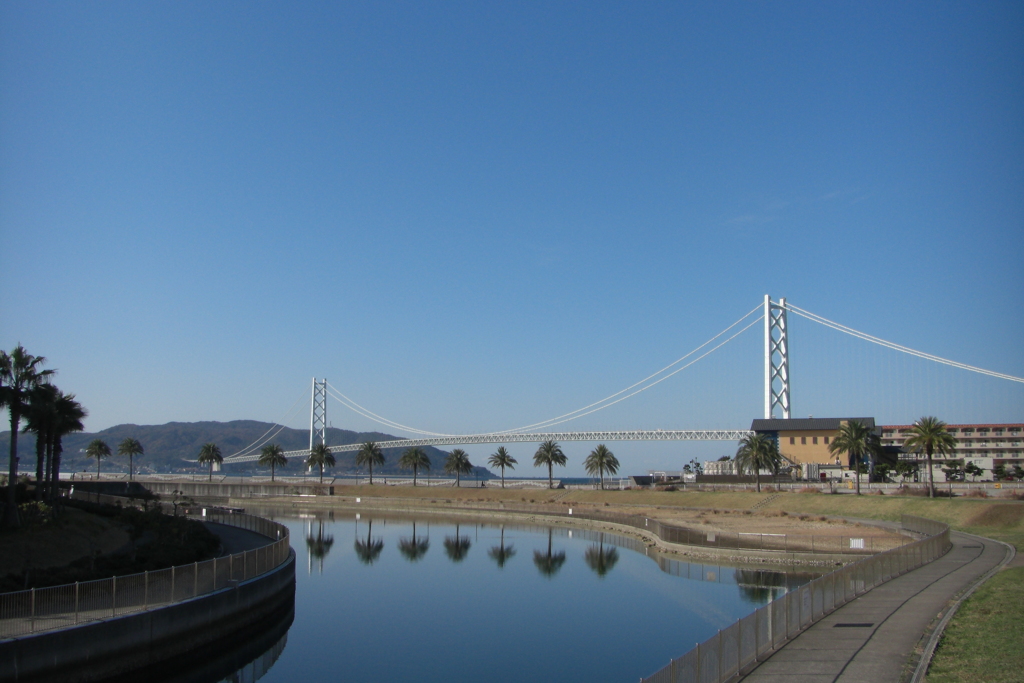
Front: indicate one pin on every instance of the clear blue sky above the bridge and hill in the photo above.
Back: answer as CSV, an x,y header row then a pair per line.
x,y
475,217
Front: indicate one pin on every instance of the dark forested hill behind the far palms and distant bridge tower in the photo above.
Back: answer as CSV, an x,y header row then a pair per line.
x,y
169,447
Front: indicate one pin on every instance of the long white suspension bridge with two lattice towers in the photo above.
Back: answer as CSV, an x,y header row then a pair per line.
x,y
775,317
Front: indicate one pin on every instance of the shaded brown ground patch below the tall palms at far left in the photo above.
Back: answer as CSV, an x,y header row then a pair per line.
x,y
76,535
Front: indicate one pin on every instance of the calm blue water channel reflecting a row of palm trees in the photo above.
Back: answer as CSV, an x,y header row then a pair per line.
x,y
394,599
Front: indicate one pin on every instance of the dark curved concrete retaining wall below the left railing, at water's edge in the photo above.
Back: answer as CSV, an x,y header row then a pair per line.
x,y
119,646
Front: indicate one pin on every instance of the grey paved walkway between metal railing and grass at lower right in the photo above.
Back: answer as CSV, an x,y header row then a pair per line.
x,y
877,637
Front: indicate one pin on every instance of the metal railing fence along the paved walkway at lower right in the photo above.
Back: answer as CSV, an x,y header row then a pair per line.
x,y
732,651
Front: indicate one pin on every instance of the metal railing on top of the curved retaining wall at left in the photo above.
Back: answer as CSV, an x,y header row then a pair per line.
x,y
61,607
